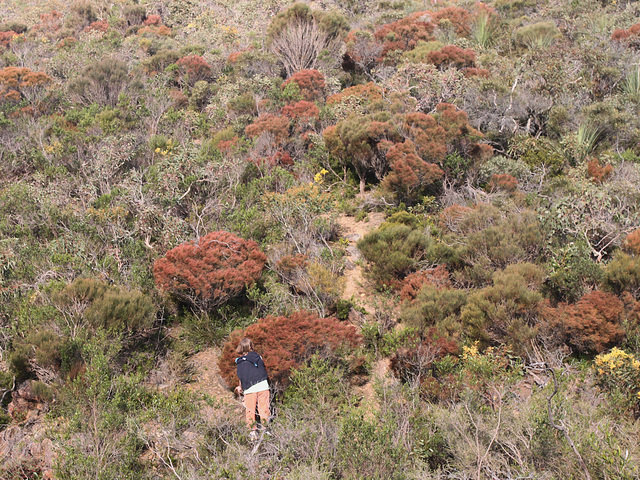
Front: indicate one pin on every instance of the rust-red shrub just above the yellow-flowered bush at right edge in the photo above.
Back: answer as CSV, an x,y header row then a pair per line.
x,y
590,325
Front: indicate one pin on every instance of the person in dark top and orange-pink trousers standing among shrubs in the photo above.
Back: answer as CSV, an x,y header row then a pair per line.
x,y
254,384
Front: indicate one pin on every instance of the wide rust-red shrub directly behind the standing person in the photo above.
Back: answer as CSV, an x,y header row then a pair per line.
x,y
287,342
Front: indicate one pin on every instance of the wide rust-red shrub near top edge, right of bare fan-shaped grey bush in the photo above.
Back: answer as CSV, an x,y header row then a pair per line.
x,y
404,34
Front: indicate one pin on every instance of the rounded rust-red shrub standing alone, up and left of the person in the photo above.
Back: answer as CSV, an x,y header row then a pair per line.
x,y
210,271
